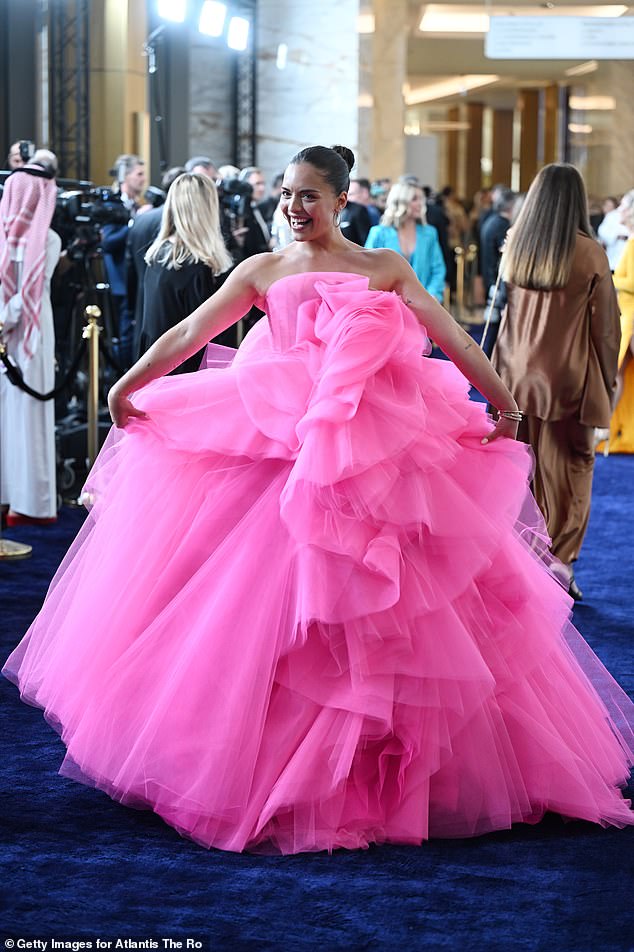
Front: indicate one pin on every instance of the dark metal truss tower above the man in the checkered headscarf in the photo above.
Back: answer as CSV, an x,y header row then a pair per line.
x,y
69,85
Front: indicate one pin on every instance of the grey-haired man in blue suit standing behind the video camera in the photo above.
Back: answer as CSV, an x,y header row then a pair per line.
x,y
129,171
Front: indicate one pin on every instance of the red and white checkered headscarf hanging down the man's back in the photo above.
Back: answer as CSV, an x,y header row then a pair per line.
x,y
26,210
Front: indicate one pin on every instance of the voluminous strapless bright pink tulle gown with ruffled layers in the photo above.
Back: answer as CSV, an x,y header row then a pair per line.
x,y
308,609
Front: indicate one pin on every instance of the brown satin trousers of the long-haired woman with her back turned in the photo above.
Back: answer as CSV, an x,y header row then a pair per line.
x,y
562,483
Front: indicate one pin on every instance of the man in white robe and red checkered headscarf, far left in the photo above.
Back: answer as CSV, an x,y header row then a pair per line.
x,y
29,251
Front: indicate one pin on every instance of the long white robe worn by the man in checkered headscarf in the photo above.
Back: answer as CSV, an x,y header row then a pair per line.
x,y
27,425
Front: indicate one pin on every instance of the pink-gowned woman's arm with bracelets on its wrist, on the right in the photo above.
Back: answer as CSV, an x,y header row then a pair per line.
x,y
457,345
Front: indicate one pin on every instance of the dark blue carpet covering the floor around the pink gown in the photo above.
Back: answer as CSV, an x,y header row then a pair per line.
x,y
76,864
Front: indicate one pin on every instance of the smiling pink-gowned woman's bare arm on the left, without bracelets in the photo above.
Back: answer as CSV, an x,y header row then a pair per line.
x,y
220,311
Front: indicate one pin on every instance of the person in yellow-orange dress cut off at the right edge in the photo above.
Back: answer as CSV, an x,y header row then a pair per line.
x,y
622,424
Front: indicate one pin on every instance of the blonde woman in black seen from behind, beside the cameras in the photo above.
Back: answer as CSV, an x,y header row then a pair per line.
x,y
187,261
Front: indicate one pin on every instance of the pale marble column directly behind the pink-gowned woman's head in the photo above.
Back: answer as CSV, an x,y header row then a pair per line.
x,y
307,78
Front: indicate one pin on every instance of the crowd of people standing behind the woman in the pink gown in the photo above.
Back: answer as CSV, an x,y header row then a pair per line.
x,y
162,262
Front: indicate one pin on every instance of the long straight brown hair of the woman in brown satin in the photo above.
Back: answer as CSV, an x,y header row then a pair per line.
x,y
541,244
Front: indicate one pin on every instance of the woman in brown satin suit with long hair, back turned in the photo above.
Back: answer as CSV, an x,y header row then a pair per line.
x,y
557,348
